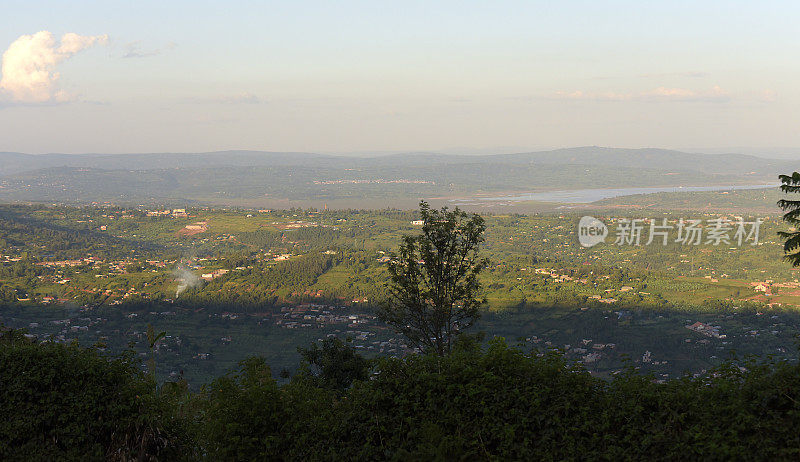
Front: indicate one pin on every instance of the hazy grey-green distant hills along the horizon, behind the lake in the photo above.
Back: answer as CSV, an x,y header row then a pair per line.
x,y
255,177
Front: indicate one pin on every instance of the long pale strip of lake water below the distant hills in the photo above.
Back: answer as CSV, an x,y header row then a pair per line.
x,y
585,196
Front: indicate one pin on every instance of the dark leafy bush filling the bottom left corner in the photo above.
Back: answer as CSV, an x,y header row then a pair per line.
x,y
64,402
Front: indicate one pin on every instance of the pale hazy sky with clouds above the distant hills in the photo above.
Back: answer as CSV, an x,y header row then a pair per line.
x,y
373,76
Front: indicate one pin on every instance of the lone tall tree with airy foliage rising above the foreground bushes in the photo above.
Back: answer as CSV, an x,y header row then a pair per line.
x,y
434,293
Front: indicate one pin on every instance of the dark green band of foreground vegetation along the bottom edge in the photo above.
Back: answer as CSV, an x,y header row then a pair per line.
x,y
493,403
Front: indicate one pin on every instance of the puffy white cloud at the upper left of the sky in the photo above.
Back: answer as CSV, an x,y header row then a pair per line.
x,y
29,65
